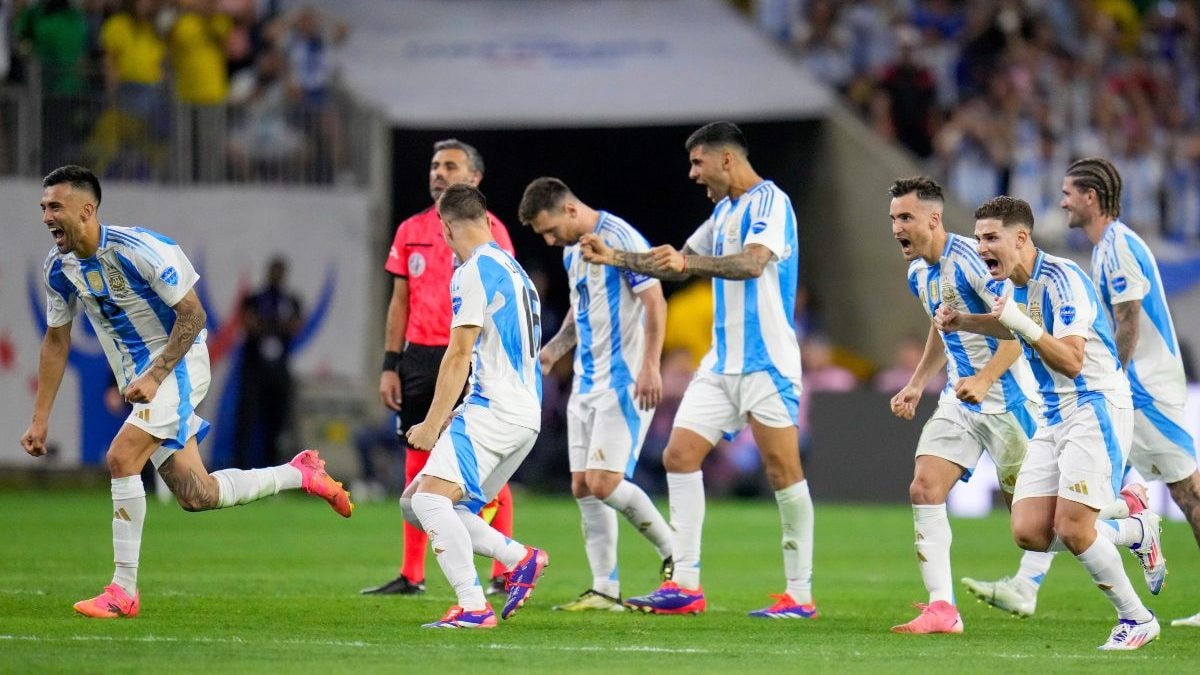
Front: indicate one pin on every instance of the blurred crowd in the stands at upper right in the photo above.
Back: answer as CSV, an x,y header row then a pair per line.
x,y
998,97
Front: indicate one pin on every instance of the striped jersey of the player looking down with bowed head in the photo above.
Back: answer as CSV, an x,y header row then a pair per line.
x,y
609,315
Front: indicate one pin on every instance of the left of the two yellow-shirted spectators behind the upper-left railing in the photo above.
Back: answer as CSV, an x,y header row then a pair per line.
x,y
129,138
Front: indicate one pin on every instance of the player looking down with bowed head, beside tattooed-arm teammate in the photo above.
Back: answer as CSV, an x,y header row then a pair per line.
x,y
617,322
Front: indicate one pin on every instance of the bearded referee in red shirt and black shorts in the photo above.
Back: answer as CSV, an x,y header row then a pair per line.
x,y
416,338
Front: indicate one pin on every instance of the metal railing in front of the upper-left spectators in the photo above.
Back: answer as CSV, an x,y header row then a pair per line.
x,y
146,134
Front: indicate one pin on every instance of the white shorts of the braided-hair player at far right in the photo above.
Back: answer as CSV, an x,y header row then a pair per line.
x,y
1162,447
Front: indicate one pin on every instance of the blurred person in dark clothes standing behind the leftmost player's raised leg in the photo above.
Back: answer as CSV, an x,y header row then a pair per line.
x,y
272,320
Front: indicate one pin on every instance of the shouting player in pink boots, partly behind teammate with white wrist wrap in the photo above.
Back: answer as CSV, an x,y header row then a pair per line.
x,y
989,401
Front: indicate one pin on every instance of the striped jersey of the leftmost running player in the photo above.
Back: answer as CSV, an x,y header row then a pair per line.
x,y
128,290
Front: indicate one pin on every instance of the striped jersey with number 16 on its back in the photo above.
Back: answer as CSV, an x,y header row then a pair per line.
x,y
493,291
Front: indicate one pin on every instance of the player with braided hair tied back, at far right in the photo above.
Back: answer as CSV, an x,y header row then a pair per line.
x,y
1125,272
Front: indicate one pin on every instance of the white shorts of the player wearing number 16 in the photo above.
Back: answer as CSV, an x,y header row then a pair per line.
x,y
479,452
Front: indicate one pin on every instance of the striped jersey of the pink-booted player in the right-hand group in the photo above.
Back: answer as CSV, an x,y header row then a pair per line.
x,y
961,280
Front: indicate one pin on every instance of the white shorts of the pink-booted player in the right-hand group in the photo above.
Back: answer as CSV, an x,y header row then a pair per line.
x,y
961,435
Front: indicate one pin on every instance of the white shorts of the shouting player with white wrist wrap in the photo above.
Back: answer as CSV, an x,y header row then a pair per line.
x,y
1082,458
